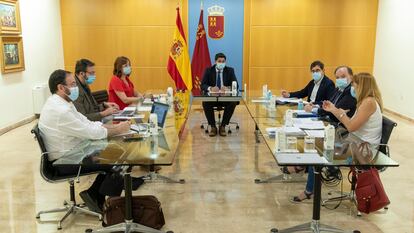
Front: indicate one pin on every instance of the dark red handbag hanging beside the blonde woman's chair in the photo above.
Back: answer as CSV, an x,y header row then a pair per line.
x,y
370,193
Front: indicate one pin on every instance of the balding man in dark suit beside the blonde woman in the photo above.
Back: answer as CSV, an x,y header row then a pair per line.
x,y
341,97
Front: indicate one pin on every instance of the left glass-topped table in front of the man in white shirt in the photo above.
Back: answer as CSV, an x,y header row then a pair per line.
x,y
148,151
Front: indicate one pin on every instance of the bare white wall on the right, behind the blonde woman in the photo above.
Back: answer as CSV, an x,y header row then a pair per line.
x,y
394,55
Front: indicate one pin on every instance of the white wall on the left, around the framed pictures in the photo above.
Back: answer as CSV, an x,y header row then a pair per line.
x,y
43,53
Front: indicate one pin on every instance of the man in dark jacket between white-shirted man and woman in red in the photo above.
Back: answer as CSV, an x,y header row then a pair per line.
x,y
86,103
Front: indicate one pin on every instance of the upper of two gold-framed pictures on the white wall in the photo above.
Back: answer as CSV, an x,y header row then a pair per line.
x,y
9,17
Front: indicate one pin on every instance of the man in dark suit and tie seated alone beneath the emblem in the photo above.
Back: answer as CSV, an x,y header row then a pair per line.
x,y
217,78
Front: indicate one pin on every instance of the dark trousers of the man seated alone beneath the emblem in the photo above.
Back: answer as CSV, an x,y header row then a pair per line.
x,y
228,112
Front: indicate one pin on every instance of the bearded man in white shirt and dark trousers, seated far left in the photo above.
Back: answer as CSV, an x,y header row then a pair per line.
x,y
63,127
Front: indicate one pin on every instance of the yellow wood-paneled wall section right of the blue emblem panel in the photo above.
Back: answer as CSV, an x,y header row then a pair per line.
x,y
282,38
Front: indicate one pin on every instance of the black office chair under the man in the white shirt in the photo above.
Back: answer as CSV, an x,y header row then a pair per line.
x,y
48,172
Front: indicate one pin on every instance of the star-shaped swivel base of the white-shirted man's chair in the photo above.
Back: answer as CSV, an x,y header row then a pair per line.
x,y
70,207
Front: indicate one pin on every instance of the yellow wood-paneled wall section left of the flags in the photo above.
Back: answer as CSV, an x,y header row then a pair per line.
x,y
101,30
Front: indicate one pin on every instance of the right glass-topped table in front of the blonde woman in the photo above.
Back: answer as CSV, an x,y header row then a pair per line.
x,y
265,115
